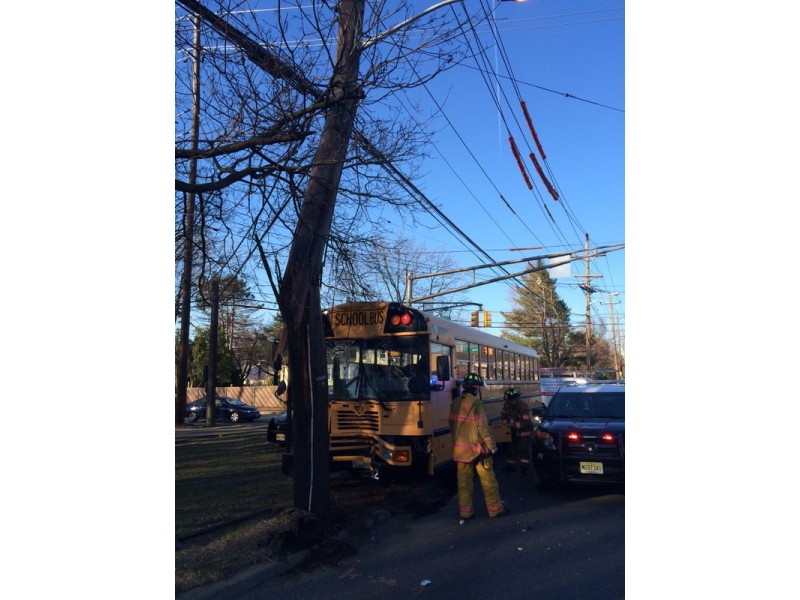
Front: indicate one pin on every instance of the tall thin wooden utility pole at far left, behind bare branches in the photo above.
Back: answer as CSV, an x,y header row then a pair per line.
x,y
182,378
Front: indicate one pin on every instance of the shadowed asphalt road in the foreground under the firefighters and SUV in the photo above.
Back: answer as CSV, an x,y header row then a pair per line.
x,y
555,544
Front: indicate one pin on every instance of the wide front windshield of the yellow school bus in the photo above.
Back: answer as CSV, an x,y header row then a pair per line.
x,y
385,369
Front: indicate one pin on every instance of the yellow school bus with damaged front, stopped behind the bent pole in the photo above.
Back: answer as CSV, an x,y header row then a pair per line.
x,y
393,371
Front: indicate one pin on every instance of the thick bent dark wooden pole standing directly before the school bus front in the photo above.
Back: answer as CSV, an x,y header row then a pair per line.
x,y
300,294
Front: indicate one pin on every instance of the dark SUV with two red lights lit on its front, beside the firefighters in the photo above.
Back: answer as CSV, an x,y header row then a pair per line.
x,y
581,437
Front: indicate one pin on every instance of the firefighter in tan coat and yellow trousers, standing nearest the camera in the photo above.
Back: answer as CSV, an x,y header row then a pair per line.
x,y
473,446
